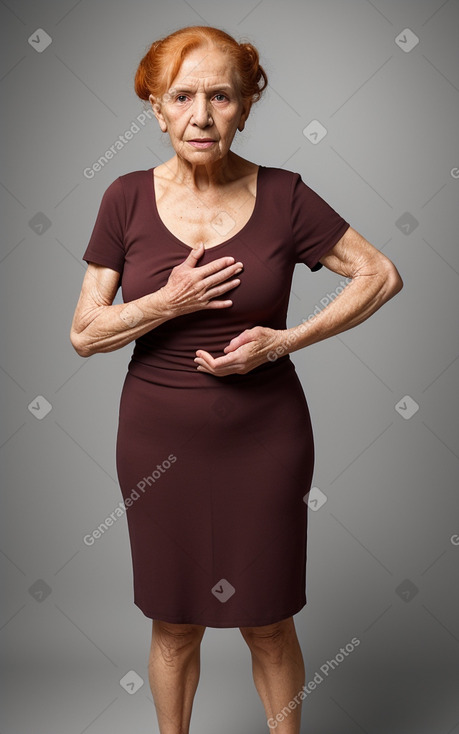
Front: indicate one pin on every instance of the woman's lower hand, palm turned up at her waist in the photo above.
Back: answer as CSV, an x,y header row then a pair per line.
x,y
243,353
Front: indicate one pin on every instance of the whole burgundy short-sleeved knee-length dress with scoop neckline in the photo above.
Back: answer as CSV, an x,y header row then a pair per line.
x,y
214,470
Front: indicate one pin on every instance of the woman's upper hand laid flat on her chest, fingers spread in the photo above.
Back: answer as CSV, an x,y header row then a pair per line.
x,y
191,288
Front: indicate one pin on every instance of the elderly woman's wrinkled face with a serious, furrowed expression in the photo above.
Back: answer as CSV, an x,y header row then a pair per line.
x,y
203,108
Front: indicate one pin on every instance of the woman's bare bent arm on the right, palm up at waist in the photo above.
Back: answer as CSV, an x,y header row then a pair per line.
x,y
374,280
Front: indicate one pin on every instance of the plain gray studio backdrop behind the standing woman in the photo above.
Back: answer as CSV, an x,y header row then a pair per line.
x,y
381,78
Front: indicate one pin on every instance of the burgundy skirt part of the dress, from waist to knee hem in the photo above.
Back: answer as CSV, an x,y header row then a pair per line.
x,y
214,473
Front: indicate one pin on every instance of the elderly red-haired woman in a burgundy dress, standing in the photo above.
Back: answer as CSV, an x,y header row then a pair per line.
x,y
215,448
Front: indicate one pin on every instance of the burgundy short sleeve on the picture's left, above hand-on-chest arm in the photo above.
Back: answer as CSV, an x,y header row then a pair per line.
x,y
106,244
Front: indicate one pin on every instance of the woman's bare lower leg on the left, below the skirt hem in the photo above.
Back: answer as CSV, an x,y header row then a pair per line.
x,y
174,668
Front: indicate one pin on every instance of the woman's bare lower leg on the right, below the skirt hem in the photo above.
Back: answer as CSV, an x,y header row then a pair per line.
x,y
278,672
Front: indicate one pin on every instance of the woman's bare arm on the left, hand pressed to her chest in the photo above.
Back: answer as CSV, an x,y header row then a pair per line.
x,y
100,326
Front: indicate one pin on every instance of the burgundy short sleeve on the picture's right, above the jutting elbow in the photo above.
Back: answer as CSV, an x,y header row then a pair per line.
x,y
316,226
